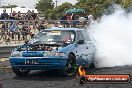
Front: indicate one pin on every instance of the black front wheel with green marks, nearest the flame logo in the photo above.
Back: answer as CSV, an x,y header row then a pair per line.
x,y
71,66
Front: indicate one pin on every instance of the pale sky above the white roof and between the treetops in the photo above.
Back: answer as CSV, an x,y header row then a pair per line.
x,y
31,3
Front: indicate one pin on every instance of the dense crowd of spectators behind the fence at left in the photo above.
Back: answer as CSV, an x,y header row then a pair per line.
x,y
10,27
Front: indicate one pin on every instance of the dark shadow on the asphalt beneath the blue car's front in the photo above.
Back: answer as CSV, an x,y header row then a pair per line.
x,y
44,76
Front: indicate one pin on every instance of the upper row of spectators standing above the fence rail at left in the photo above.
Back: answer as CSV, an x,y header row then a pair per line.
x,y
22,17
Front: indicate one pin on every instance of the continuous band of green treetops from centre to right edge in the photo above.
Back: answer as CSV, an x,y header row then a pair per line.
x,y
94,7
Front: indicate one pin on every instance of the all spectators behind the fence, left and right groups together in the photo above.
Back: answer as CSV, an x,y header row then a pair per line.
x,y
10,23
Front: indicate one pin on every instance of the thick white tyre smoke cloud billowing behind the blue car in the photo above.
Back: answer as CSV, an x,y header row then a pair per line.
x,y
113,35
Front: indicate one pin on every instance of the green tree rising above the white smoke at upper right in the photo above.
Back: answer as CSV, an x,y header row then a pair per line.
x,y
97,7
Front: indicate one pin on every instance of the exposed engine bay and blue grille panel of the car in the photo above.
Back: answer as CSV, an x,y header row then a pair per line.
x,y
39,49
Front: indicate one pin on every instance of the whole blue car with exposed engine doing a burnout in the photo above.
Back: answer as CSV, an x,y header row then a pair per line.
x,y
62,49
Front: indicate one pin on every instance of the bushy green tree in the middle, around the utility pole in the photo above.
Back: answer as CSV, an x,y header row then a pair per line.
x,y
47,8
